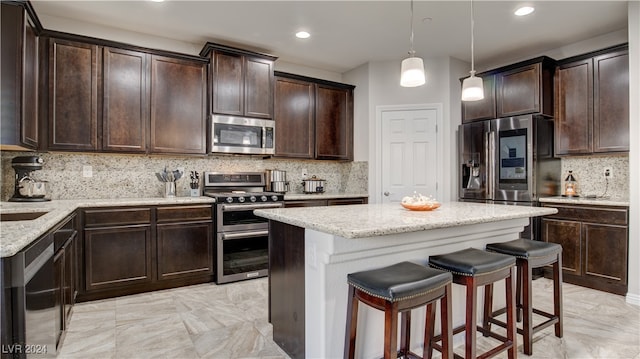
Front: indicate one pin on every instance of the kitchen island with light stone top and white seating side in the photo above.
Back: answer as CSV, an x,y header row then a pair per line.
x,y
311,251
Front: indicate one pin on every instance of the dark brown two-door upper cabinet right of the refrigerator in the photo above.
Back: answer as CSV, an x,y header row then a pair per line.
x,y
592,96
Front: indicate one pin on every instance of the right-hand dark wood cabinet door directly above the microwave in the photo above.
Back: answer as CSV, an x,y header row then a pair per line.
x,y
258,88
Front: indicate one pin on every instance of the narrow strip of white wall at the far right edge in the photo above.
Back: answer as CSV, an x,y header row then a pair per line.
x,y
633,294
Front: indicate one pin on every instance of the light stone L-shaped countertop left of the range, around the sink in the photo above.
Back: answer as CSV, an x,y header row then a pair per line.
x,y
16,235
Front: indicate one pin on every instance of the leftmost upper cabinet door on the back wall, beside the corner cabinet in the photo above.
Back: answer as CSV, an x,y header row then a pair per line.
x,y
73,101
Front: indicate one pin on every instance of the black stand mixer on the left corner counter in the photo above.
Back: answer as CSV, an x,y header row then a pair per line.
x,y
27,189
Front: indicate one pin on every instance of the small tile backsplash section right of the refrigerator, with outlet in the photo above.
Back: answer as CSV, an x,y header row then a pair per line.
x,y
589,173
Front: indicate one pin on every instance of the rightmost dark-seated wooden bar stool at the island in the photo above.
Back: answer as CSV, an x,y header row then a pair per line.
x,y
529,254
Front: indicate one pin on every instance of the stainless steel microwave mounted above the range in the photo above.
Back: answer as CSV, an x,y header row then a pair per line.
x,y
231,134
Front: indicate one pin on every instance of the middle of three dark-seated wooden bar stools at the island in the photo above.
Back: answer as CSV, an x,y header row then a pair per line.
x,y
474,268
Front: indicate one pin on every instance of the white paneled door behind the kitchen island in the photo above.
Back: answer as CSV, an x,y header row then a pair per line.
x,y
410,157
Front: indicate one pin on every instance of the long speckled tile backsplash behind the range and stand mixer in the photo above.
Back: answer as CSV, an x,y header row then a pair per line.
x,y
133,176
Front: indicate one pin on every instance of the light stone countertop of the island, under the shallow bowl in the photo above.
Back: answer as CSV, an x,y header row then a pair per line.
x,y
370,220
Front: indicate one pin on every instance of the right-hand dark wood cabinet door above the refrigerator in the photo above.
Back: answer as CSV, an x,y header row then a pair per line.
x,y
518,91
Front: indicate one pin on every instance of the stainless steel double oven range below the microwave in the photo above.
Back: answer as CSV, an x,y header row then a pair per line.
x,y
241,237
